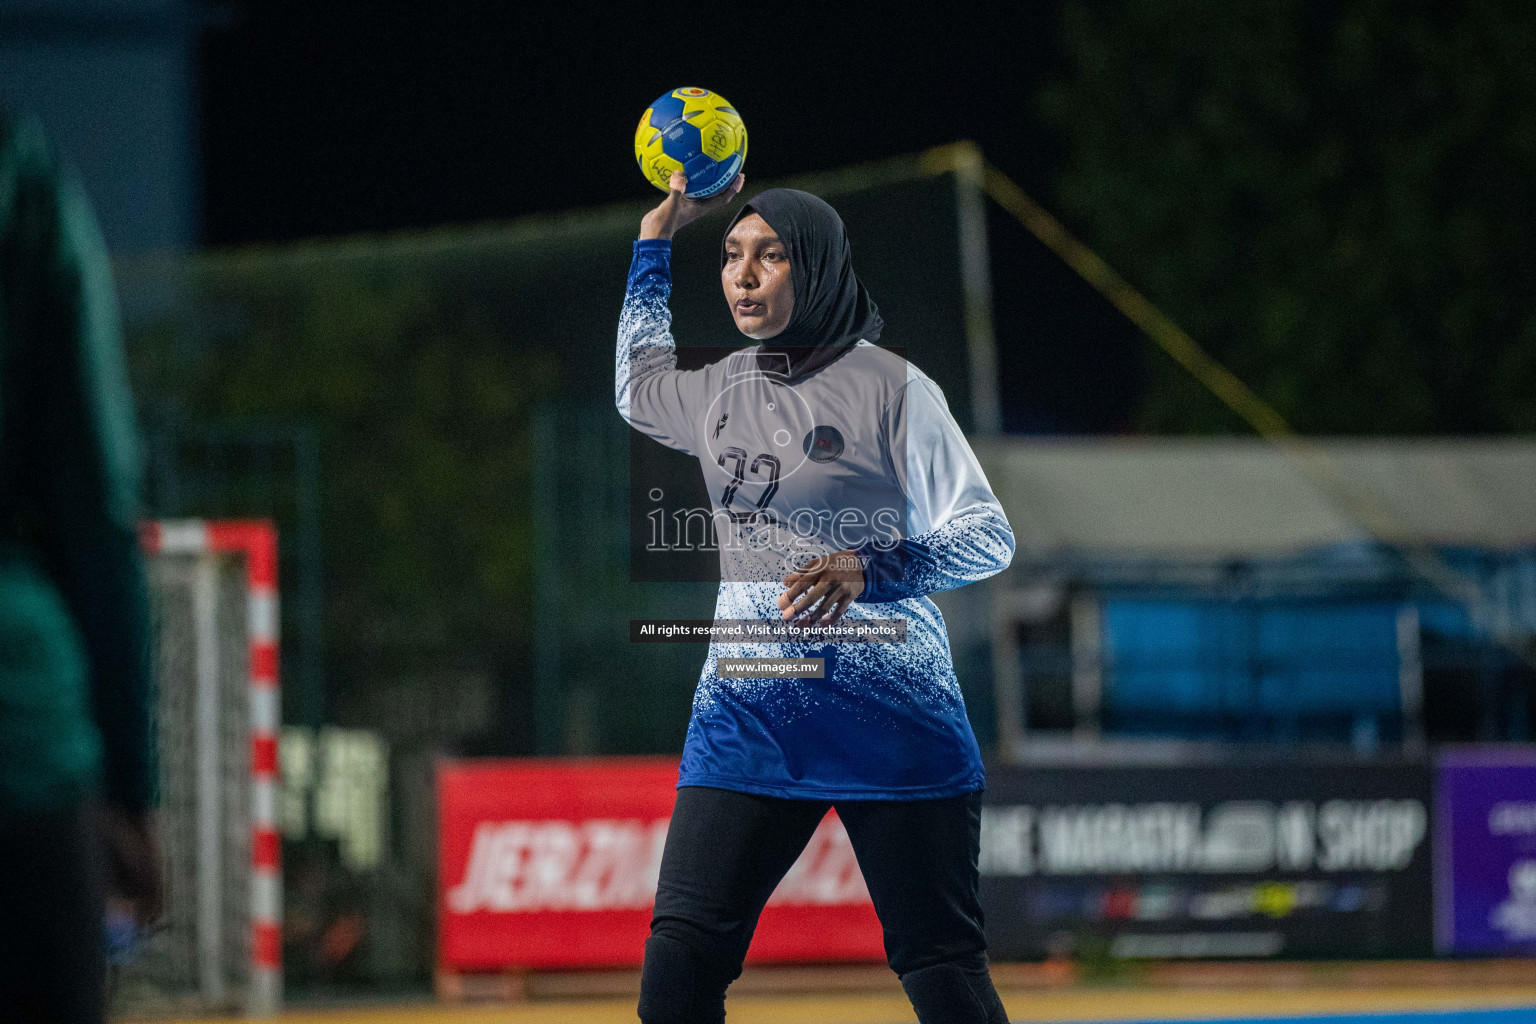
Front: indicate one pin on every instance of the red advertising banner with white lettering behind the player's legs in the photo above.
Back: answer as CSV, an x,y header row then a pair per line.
x,y
552,864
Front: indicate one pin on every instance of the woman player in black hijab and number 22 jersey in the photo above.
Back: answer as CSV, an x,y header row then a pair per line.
x,y
842,492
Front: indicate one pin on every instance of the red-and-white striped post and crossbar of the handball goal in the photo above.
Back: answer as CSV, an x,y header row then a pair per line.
x,y
256,543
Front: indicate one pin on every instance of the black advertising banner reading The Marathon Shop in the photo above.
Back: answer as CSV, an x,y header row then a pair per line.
x,y
1210,860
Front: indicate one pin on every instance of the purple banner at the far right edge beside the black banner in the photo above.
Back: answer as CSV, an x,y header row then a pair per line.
x,y
1486,851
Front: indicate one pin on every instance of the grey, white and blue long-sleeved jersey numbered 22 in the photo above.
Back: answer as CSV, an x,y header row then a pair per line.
x,y
861,455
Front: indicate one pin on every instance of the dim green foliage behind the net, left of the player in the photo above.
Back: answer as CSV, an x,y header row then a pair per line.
x,y
422,405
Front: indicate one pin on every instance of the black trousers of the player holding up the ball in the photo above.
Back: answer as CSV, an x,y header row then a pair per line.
x,y
727,851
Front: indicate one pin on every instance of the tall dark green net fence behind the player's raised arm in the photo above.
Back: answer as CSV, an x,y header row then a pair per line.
x,y
380,398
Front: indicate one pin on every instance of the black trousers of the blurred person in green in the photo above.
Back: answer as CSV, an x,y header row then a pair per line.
x,y
53,960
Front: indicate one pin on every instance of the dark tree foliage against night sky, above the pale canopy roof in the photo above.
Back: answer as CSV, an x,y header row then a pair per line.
x,y
1336,199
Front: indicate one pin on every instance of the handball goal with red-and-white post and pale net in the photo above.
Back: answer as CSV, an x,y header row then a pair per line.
x,y
214,615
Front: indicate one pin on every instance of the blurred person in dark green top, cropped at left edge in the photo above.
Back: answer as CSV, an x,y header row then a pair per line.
x,y
76,761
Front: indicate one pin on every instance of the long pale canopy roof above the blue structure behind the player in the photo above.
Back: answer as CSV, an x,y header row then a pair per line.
x,y
1250,498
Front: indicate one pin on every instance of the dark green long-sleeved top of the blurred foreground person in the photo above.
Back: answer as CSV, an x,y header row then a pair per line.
x,y
74,624
